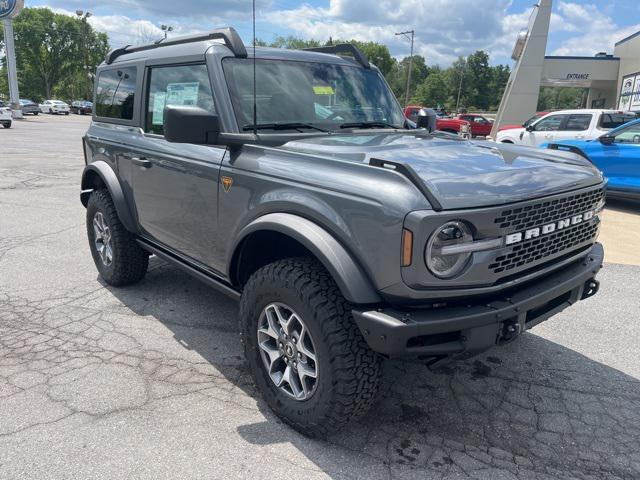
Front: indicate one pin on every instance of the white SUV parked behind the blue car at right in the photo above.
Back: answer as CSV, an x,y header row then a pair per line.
x,y
566,125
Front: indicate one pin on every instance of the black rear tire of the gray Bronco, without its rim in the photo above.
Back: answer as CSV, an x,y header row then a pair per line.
x,y
130,261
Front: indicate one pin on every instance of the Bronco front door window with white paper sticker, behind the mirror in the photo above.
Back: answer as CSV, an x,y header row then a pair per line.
x,y
180,85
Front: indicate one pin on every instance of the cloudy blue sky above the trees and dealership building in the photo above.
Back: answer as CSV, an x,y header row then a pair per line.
x,y
445,28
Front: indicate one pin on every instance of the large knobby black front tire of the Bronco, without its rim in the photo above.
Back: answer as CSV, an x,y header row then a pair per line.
x,y
348,370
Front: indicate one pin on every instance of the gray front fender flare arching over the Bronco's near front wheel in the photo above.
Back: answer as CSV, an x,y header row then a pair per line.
x,y
349,276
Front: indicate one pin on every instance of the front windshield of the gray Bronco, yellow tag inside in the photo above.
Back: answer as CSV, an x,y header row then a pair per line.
x,y
323,95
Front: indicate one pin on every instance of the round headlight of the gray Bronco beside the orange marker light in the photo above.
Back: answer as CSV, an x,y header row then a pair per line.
x,y
443,264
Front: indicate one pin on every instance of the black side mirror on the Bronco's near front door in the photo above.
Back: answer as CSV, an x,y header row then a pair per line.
x,y
186,124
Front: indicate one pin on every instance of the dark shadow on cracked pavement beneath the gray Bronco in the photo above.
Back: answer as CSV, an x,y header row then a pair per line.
x,y
532,409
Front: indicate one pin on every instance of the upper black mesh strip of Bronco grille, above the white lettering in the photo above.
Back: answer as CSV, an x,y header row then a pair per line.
x,y
544,212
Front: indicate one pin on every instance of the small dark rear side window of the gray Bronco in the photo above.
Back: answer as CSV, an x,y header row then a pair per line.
x,y
116,92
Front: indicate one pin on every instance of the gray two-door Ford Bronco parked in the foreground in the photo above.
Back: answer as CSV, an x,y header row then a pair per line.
x,y
347,234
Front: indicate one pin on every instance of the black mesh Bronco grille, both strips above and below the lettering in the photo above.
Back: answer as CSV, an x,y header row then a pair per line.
x,y
534,251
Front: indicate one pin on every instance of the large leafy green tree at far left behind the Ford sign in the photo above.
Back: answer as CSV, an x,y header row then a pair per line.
x,y
54,52
